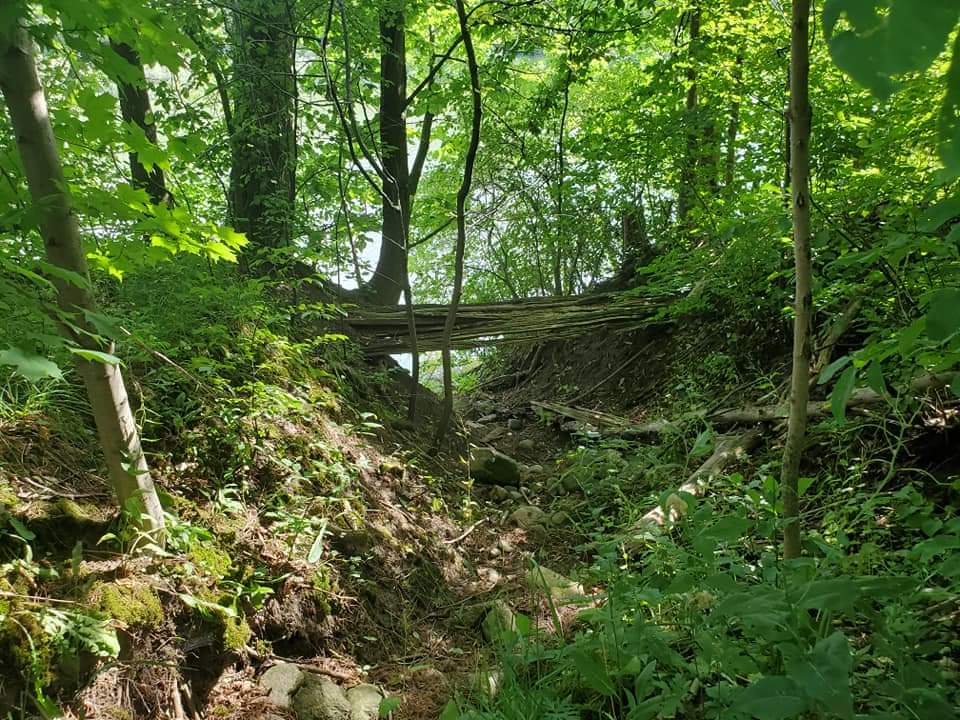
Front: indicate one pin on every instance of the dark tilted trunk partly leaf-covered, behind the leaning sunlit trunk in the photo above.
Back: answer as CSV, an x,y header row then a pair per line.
x,y
135,109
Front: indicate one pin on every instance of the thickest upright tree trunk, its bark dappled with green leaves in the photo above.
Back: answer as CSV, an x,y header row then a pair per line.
x,y
263,171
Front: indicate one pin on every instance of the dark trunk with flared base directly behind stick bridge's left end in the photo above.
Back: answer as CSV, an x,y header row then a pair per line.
x,y
390,277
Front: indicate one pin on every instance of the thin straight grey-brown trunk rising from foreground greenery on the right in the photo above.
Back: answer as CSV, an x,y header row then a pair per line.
x,y
800,116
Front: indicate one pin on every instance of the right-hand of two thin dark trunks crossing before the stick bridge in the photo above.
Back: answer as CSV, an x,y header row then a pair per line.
x,y
463,193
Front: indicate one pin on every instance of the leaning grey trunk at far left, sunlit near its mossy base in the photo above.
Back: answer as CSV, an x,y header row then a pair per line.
x,y
116,427
